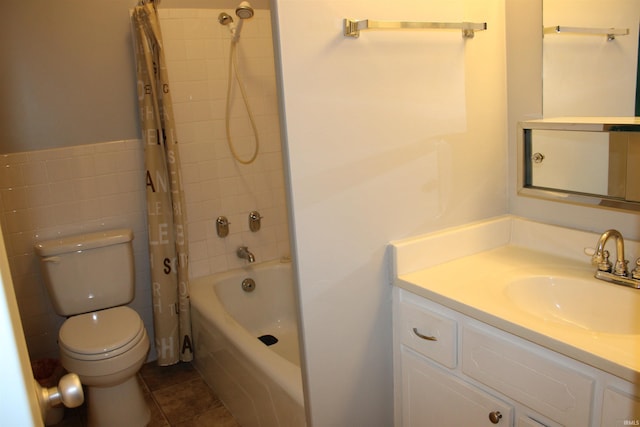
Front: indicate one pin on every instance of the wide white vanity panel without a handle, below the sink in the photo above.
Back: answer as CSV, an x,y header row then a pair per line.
x,y
528,375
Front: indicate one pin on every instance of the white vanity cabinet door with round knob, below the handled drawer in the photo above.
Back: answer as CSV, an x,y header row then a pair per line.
x,y
434,397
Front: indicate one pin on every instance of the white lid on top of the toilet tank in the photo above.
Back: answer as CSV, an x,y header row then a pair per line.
x,y
82,242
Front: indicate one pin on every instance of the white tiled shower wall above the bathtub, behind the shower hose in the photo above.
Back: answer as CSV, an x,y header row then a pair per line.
x,y
197,52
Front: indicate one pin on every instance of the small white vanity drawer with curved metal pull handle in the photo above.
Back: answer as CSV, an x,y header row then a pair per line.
x,y
430,334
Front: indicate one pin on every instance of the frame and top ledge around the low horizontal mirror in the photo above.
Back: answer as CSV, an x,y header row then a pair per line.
x,y
594,124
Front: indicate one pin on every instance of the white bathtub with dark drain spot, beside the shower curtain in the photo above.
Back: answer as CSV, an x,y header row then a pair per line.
x,y
260,384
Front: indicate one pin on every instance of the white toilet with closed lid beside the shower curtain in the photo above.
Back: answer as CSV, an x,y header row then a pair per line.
x,y
90,278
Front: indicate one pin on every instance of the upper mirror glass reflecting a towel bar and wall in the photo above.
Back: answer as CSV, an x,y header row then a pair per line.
x,y
584,72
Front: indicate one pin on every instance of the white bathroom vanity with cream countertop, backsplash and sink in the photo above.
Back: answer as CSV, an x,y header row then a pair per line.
x,y
502,323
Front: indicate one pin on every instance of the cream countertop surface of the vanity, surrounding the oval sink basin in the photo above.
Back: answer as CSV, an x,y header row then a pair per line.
x,y
475,286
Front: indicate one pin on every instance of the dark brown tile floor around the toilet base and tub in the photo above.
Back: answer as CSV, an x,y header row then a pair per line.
x,y
177,396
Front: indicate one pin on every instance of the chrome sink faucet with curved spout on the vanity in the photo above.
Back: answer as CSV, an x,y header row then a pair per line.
x,y
619,273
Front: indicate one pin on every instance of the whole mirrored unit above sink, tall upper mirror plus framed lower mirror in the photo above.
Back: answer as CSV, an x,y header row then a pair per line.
x,y
586,147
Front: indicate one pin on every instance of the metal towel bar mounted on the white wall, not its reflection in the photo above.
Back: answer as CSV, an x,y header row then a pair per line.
x,y
352,27
